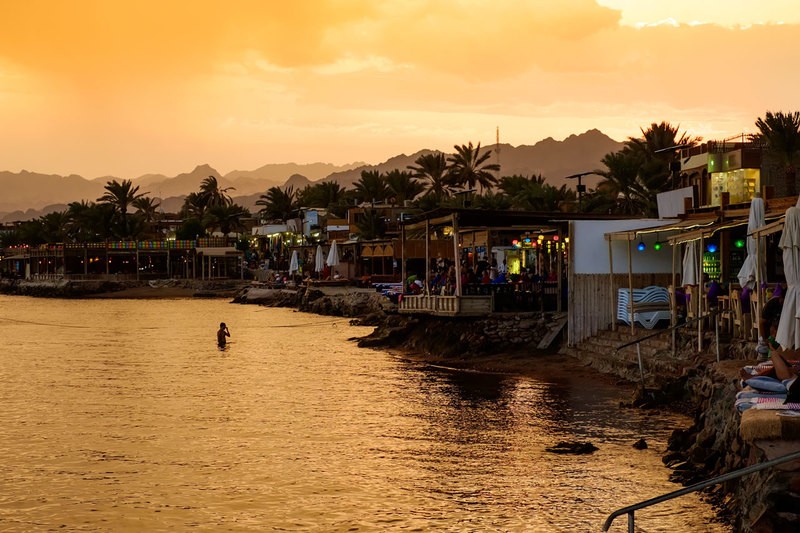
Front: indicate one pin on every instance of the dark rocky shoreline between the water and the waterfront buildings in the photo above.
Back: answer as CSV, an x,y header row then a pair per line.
x,y
693,384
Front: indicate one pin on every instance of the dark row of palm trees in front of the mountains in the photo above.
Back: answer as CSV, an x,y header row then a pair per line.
x,y
630,182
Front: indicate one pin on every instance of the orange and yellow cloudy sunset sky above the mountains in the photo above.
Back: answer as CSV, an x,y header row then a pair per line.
x,y
125,88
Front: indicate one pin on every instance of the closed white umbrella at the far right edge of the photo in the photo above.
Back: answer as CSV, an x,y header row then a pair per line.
x,y
788,334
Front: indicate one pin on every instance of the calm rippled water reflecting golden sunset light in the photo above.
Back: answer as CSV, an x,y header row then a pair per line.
x,y
122,415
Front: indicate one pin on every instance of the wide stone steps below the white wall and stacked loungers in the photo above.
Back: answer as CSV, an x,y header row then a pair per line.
x,y
600,353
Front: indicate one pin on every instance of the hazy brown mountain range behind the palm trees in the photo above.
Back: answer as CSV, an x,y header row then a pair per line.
x,y
28,195
